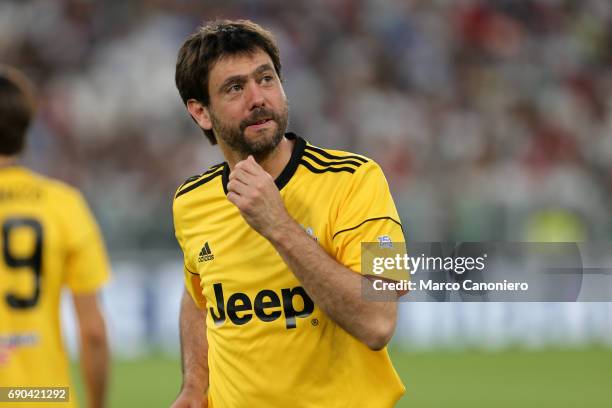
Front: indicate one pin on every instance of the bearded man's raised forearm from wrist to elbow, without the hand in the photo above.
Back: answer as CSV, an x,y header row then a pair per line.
x,y
336,289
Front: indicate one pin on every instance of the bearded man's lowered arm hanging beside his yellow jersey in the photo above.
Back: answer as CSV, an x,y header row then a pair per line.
x,y
194,345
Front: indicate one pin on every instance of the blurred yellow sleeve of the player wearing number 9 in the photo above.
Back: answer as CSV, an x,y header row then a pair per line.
x,y
87,265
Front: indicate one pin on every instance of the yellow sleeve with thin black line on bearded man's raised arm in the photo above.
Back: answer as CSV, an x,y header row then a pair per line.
x,y
366,213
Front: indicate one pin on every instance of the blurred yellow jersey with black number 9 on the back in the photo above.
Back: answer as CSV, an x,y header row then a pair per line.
x,y
48,240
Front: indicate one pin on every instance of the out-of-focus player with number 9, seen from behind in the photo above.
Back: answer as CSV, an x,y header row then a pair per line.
x,y
48,240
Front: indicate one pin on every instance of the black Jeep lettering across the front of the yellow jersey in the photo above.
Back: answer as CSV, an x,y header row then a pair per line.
x,y
264,306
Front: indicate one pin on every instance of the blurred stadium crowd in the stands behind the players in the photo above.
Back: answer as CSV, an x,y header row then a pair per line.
x,y
491,119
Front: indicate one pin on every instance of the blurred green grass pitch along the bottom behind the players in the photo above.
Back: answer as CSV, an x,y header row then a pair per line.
x,y
552,378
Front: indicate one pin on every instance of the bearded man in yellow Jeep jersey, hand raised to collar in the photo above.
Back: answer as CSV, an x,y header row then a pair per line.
x,y
273,313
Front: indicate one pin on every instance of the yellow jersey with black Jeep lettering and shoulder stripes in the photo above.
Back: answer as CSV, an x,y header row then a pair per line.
x,y
269,344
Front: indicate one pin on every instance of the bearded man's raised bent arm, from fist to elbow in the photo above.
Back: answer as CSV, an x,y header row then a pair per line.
x,y
335,289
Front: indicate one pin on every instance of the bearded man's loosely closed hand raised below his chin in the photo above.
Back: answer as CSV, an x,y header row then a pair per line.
x,y
252,190
